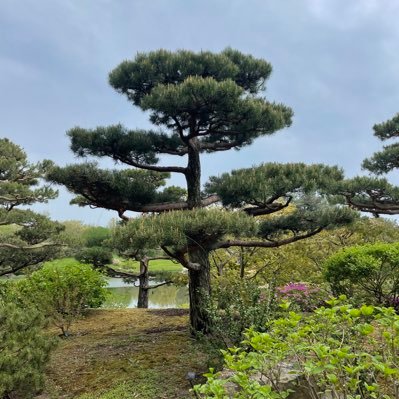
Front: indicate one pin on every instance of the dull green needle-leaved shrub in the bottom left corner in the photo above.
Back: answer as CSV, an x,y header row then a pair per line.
x,y
24,350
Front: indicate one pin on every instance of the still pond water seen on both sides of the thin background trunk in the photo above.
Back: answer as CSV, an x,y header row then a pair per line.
x,y
124,295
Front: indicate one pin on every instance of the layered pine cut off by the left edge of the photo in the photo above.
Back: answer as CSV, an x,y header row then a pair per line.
x,y
26,238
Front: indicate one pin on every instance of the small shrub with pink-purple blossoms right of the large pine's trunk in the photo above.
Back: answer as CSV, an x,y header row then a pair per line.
x,y
303,296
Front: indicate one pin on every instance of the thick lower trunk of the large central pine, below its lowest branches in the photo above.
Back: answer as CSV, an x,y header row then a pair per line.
x,y
199,290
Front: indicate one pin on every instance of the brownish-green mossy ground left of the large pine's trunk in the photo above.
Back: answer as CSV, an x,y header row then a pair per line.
x,y
129,353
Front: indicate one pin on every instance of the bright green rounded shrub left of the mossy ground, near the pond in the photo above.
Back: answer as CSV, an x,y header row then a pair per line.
x,y
62,293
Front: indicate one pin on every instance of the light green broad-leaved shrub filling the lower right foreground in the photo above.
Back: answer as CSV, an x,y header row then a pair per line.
x,y
339,352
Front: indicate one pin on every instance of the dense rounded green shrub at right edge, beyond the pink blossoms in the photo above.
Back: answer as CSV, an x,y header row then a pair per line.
x,y
366,274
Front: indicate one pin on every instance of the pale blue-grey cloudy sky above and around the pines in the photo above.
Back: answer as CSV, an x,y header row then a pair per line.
x,y
335,62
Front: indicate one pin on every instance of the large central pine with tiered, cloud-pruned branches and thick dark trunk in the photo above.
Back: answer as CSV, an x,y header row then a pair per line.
x,y
204,103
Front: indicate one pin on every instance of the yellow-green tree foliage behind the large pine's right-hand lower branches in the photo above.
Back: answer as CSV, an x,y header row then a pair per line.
x,y
302,261
